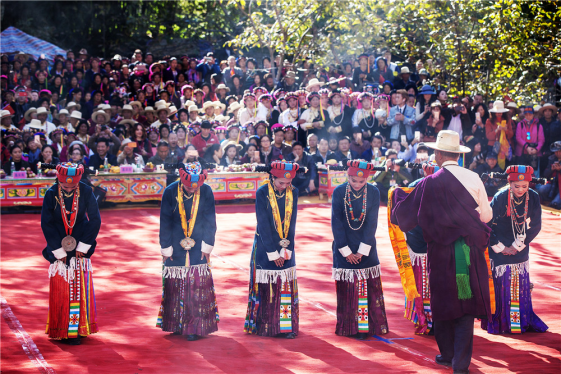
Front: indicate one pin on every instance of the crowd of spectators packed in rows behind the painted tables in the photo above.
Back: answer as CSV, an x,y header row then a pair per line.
x,y
142,109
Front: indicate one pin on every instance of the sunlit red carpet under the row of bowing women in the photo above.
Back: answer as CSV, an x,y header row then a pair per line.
x,y
128,290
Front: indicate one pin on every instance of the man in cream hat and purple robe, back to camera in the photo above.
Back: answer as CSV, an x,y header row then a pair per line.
x,y
452,209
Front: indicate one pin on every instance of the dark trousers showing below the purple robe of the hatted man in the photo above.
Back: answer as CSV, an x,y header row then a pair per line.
x,y
455,340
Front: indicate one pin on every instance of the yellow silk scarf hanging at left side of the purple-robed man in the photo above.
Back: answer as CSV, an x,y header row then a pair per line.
x,y
401,252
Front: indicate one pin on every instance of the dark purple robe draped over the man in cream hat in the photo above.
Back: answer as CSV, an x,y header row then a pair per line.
x,y
445,211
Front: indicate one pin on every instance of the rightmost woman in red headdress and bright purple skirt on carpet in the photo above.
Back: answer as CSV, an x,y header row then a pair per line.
x,y
516,222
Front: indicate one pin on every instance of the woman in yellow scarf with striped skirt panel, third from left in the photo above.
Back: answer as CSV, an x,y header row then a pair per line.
x,y
273,290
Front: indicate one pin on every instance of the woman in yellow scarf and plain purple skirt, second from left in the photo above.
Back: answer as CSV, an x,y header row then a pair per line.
x,y
187,233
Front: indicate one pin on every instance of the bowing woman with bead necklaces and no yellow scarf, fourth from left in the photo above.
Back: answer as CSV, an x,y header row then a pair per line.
x,y
356,268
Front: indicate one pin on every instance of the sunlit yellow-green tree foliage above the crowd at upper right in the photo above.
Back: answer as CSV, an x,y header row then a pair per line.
x,y
501,47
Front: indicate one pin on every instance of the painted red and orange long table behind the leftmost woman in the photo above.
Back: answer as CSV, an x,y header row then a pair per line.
x,y
135,187
